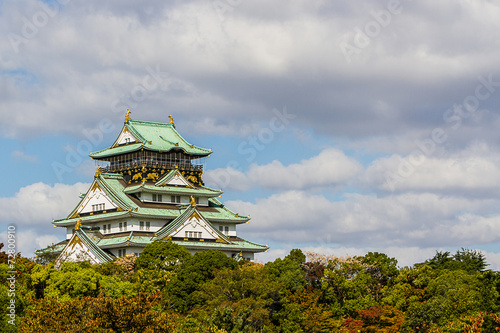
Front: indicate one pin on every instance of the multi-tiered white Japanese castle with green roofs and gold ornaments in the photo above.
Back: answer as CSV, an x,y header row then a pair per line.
x,y
149,186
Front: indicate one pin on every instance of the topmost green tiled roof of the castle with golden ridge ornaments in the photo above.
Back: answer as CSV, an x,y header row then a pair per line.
x,y
161,137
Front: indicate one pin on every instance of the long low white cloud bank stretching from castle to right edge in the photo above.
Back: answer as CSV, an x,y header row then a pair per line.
x,y
410,219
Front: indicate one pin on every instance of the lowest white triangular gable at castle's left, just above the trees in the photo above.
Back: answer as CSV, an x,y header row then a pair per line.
x,y
79,248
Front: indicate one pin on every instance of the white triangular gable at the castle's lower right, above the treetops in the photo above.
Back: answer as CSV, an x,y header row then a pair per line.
x,y
190,222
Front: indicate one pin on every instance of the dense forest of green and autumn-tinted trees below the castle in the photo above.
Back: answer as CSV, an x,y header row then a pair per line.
x,y
166,289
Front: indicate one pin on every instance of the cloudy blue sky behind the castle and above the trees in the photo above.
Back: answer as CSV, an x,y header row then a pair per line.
x,y
340,127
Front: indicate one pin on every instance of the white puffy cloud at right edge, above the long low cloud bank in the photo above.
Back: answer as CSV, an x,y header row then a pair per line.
x,y
474,170
